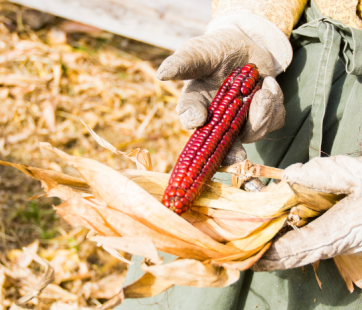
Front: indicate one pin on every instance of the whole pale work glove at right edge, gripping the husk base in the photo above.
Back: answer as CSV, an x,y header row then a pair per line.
x,y
338,231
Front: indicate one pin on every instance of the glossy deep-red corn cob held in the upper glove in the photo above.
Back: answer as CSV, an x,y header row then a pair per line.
x,y
209,145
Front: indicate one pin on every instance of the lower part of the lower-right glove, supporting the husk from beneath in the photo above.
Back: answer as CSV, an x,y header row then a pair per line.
x,y
336,232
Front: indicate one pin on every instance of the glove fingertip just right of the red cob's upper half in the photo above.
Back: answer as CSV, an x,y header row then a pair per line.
x,y
266,114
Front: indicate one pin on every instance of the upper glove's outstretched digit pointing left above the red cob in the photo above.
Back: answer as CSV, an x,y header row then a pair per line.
x,y
199,57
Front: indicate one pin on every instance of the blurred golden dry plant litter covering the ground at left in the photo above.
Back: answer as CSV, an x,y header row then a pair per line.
x,y
52,74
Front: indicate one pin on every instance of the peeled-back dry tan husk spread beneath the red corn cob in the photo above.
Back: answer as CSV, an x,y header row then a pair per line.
x,y
226,231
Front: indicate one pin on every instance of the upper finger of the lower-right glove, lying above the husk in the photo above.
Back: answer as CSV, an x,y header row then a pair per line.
x,y
337,174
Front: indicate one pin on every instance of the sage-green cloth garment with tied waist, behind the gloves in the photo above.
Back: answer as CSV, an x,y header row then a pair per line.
x,y
324,116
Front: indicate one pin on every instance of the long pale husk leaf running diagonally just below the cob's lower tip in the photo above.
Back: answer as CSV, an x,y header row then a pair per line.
x,y
119,193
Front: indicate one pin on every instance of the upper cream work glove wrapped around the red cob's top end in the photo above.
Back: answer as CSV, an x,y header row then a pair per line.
x,y
231,40
